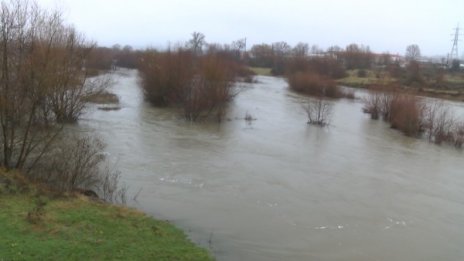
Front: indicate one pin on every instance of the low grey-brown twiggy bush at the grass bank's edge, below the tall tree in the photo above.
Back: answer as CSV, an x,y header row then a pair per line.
x,y
75,165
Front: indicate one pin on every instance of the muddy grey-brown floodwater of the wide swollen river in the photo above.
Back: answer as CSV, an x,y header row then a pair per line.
x,y
278,189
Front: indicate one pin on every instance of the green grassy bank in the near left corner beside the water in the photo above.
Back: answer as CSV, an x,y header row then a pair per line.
x,y
79,229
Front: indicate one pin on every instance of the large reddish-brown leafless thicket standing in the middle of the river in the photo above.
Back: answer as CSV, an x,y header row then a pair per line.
x,y
199,84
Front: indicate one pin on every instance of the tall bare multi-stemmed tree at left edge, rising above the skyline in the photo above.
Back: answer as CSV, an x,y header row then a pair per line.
x,y
41,81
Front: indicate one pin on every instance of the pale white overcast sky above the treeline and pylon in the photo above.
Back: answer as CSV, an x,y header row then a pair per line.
x,y
384,25
